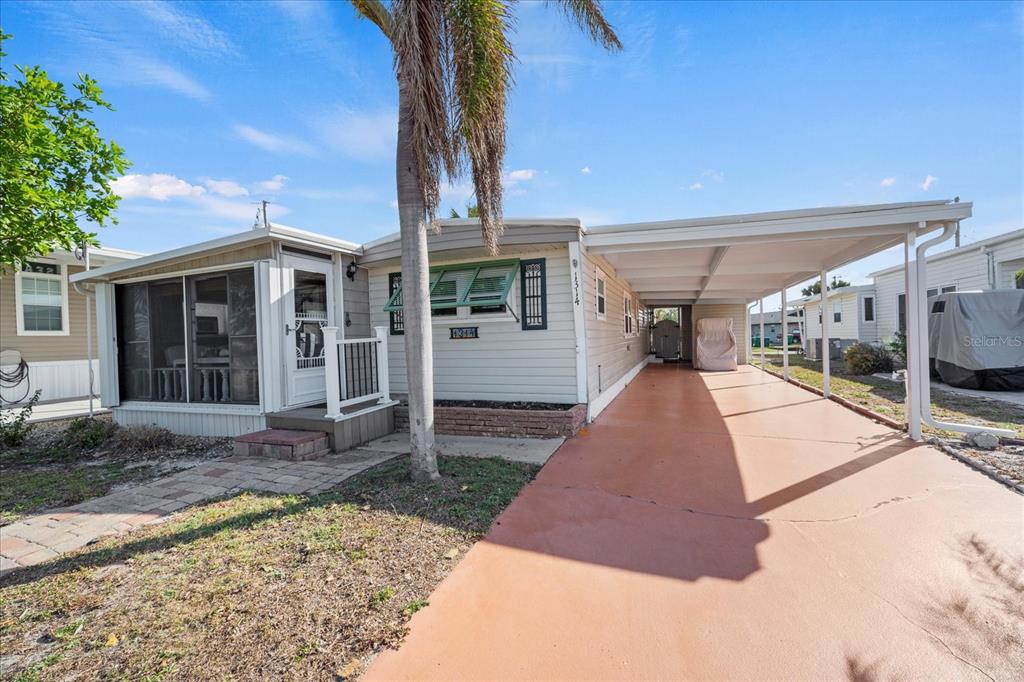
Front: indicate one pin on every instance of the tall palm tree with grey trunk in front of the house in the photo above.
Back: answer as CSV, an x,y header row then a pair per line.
x,y
454,62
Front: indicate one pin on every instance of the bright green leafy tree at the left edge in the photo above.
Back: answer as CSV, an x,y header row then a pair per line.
x,y
56,168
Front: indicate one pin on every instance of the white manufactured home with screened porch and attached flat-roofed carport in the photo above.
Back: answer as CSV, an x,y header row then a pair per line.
x,y
282,327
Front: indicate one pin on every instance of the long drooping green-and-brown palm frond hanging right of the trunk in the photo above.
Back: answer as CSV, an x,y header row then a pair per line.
x,y
481,73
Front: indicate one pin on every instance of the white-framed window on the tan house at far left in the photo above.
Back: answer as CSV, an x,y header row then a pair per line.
x,y
41,293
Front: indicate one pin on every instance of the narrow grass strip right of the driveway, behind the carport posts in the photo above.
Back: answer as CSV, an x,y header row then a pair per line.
x,y
886,398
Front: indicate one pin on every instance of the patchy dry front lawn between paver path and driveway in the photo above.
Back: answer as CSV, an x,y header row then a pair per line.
x,y
255,587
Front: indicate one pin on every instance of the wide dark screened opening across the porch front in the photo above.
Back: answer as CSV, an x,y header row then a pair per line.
x,y
190,339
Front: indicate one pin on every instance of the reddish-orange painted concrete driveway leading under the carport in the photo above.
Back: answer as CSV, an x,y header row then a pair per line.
x,y
732,527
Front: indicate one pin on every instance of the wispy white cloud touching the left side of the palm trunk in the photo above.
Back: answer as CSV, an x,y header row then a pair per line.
x,y
368,137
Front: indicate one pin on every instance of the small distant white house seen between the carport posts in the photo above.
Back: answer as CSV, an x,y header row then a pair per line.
x,y
851,319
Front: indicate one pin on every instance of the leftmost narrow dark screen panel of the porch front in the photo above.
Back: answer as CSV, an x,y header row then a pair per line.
x,y
134,342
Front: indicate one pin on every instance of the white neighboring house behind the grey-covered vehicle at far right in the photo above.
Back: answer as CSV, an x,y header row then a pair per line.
x,y
979,267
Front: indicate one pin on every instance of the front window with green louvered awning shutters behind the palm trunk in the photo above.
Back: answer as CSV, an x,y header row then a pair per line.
x,y
465,290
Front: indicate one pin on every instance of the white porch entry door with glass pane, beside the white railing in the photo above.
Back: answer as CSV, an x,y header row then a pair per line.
x,y
309,309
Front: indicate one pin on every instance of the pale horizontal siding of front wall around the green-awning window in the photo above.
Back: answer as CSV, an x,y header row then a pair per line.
x,y
506,363
